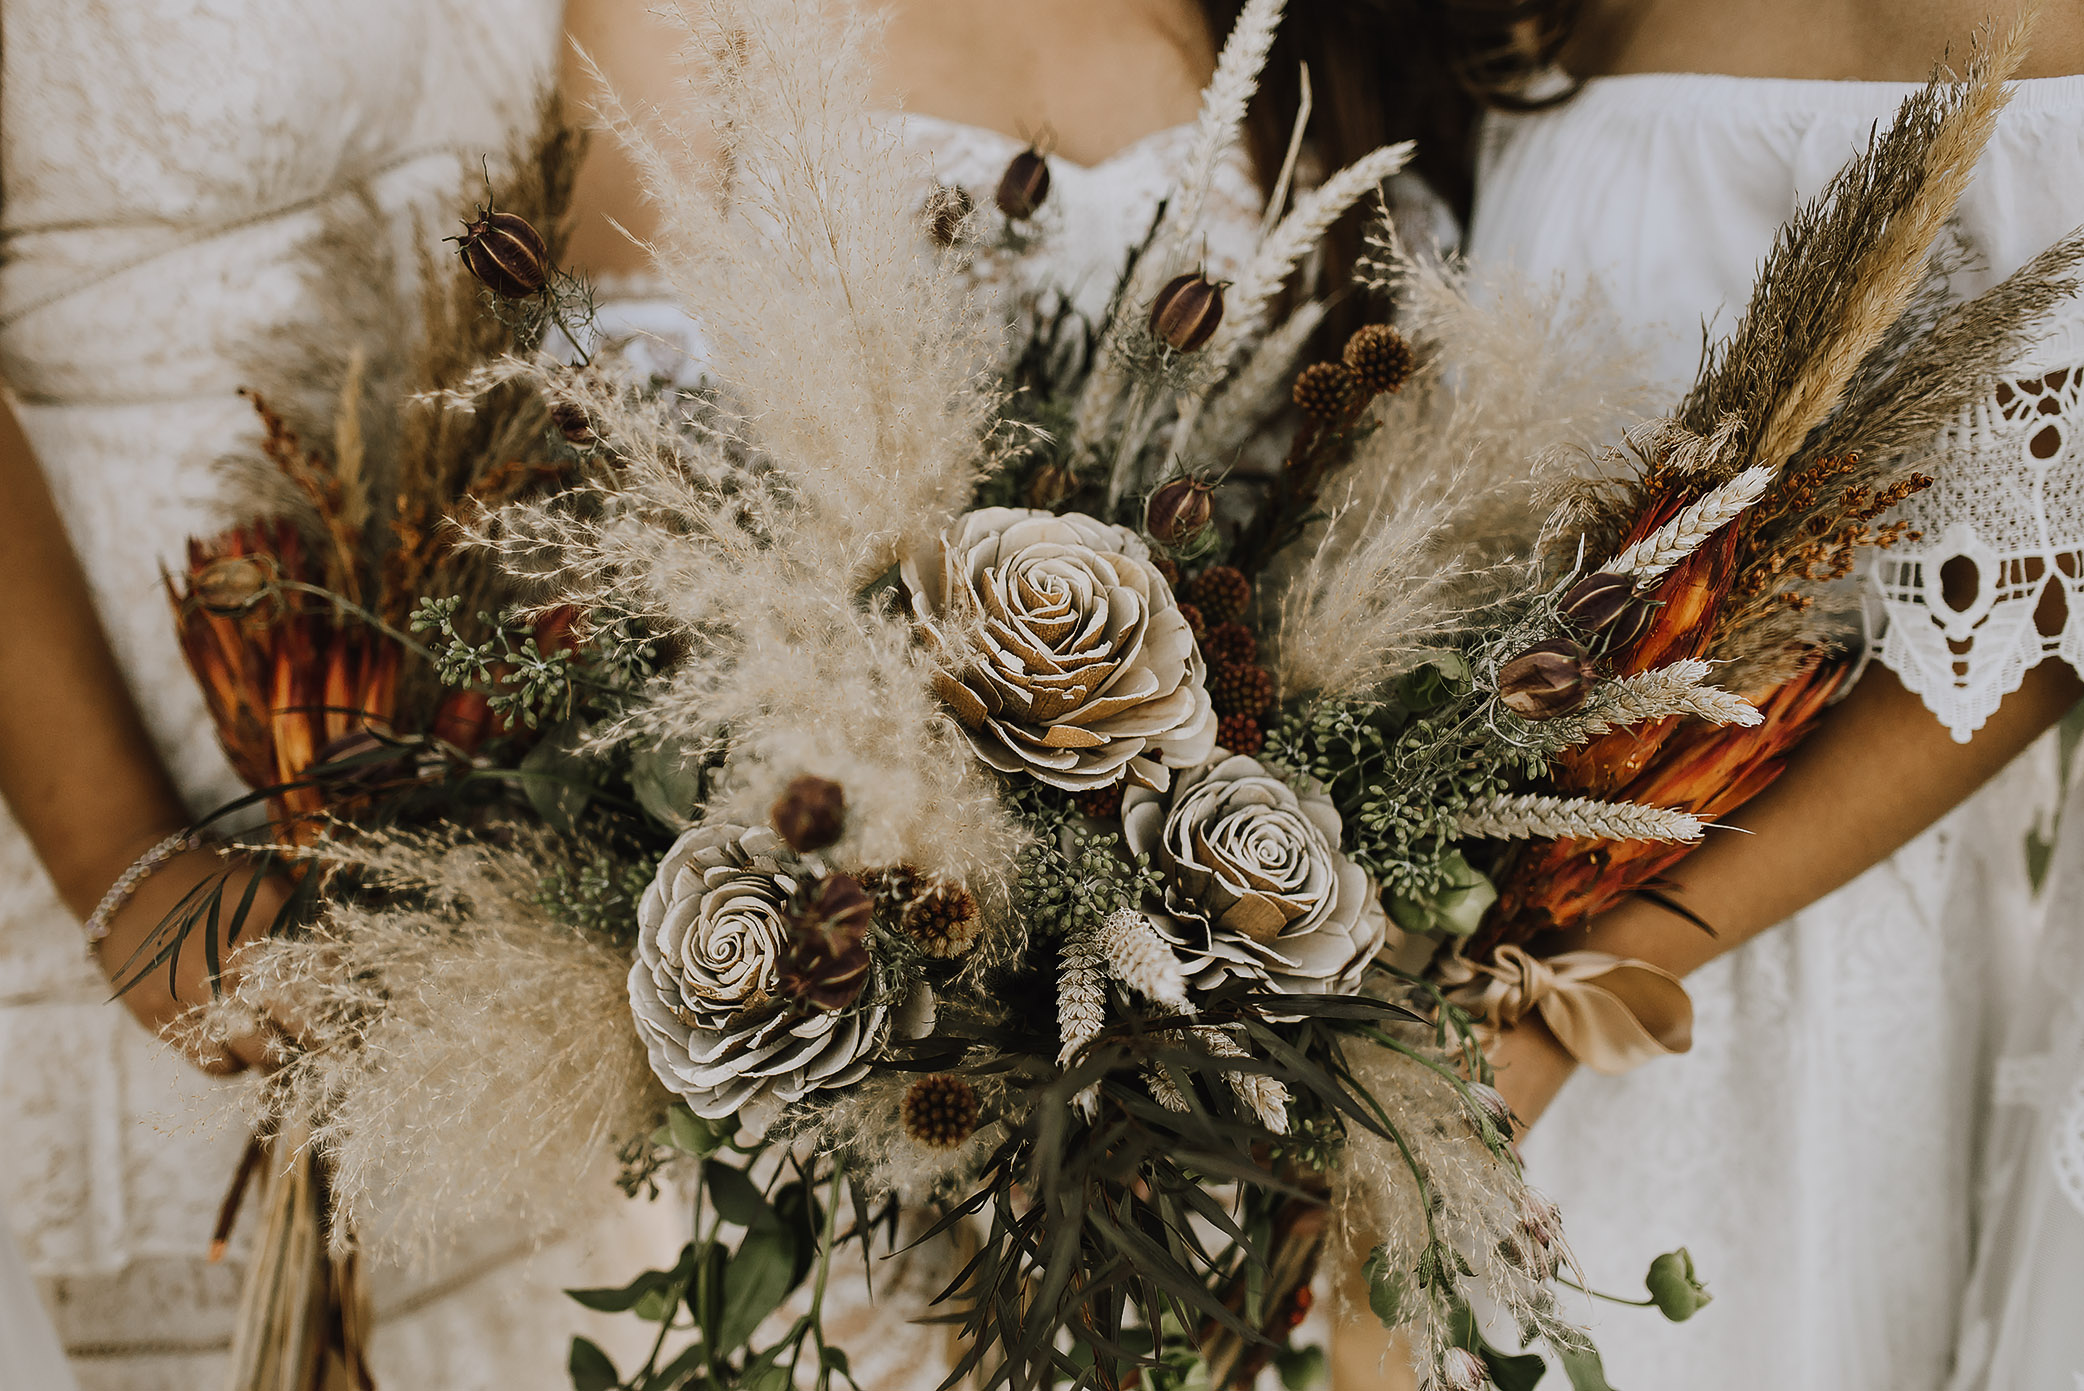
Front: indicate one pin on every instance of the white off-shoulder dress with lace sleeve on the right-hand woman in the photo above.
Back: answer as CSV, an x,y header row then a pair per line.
x,y
1837,1140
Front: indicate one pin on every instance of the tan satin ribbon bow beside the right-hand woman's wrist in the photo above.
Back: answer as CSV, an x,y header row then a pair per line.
x,y
1608,1012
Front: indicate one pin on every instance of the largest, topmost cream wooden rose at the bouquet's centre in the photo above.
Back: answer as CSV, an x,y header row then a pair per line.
x,y
1062,650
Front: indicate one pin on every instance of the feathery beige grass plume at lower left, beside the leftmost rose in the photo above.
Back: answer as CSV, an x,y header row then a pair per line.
x,y
464,1054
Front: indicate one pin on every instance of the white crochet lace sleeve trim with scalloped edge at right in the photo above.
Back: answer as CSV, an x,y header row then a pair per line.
x,y
2004,529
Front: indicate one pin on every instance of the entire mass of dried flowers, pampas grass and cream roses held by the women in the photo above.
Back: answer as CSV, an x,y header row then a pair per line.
x,y
1043,804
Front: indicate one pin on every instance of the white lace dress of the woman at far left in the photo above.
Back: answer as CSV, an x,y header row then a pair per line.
x,y
162,168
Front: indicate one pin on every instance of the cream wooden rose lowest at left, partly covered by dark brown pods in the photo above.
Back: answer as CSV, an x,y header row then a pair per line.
x,y
705,987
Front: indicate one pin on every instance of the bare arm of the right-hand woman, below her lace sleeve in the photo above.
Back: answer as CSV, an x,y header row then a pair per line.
x,y
1875,775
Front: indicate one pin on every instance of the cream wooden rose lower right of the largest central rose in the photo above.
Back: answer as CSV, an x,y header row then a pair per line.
x,y
1254,881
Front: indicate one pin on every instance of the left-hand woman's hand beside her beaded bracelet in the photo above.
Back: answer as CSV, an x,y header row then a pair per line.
x,y
162,998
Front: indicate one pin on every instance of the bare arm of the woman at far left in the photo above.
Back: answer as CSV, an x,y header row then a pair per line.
x,y
76,764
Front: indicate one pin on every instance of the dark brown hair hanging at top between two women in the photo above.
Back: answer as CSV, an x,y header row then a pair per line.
x,y
1397,70
